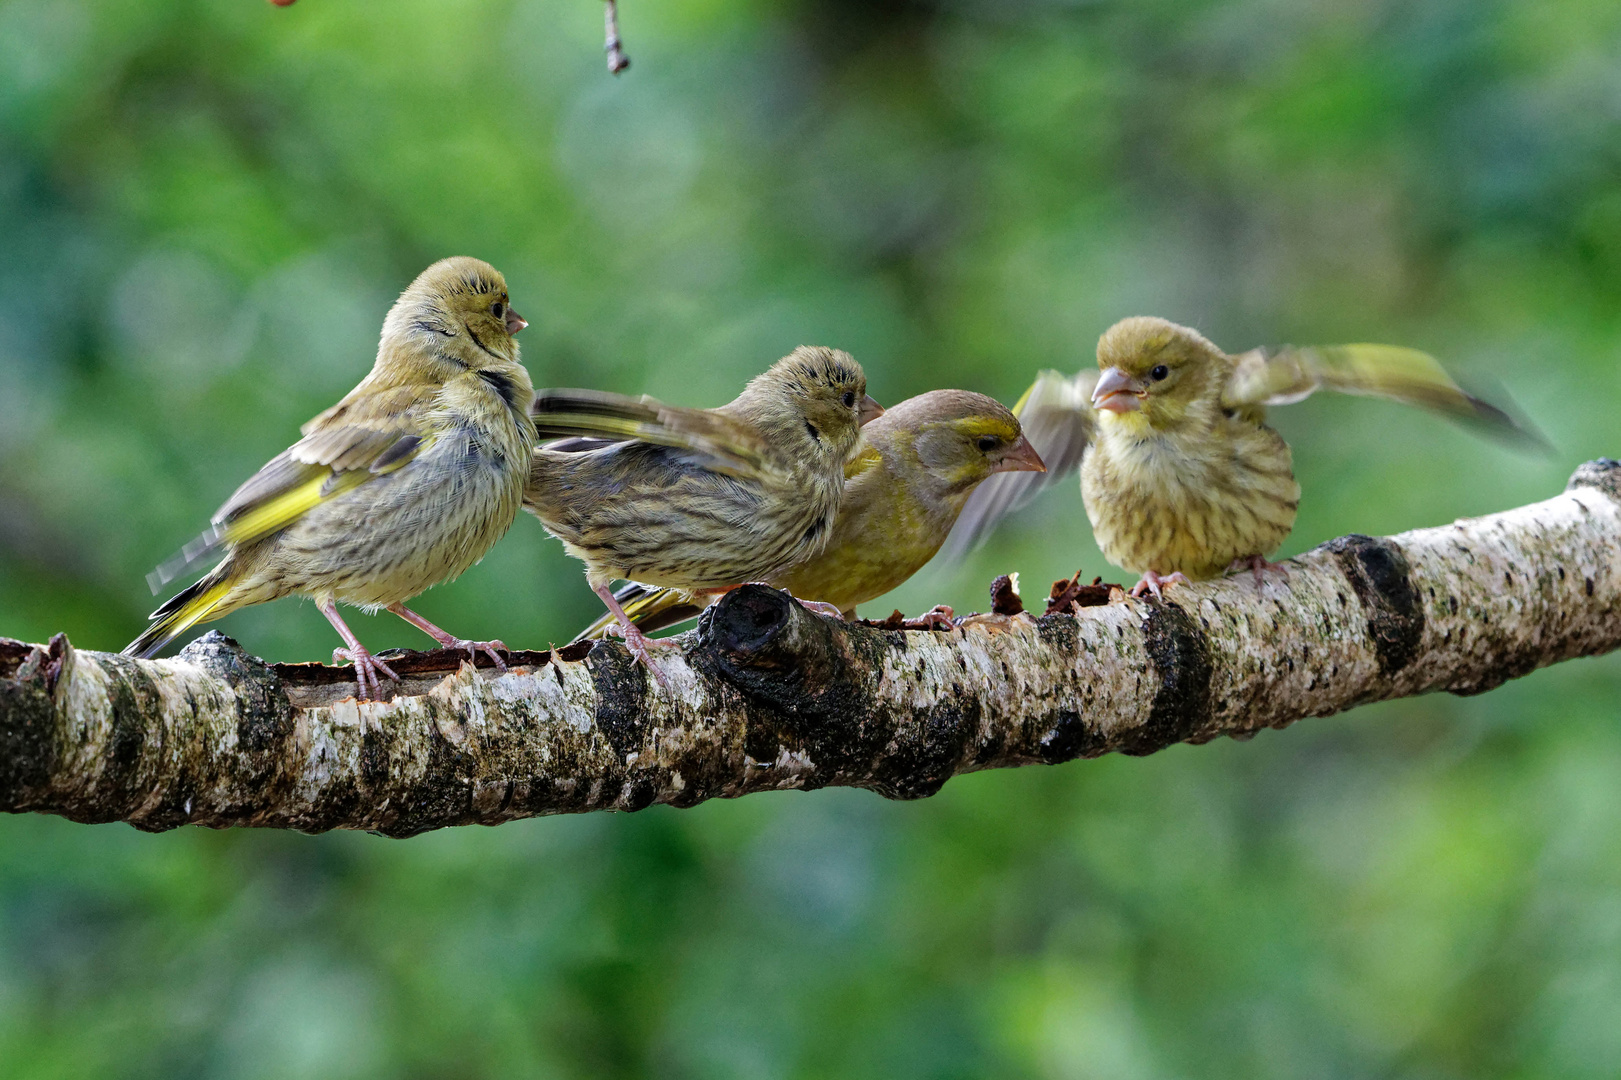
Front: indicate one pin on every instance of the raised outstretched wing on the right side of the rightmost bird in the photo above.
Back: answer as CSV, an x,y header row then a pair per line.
x,y
1280,377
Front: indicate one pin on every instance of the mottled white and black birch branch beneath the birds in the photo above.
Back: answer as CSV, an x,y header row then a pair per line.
x,y
764,695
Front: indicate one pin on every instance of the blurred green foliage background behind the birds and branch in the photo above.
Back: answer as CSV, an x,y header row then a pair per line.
x,y
207,208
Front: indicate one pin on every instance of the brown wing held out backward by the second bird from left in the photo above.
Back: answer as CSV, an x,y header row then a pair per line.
x,y
727,444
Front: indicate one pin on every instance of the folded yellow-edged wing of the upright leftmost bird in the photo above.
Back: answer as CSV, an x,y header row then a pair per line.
x,y
341,450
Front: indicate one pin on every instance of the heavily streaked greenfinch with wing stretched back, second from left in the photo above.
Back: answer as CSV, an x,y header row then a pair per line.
x,y
701,500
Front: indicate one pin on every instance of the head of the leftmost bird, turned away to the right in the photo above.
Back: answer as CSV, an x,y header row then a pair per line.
x,y
458,311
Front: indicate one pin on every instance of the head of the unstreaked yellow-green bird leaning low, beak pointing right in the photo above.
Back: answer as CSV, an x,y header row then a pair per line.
x,y
957,439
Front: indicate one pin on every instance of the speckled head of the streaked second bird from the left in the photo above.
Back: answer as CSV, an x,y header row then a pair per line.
x,y
815,393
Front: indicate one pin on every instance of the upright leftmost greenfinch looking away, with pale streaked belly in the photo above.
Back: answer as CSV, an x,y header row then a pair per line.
x,y
403,486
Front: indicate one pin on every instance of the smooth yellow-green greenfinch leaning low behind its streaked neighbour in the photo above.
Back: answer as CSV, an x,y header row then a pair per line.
x,y
904,492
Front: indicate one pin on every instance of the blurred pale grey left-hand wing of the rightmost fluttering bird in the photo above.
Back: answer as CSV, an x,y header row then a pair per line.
x,y
1059,421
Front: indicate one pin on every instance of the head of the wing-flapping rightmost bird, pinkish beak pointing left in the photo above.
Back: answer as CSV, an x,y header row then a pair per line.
x,y
1155,372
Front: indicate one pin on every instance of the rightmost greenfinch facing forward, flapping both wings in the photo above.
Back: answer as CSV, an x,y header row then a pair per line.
x,y
1181,476
